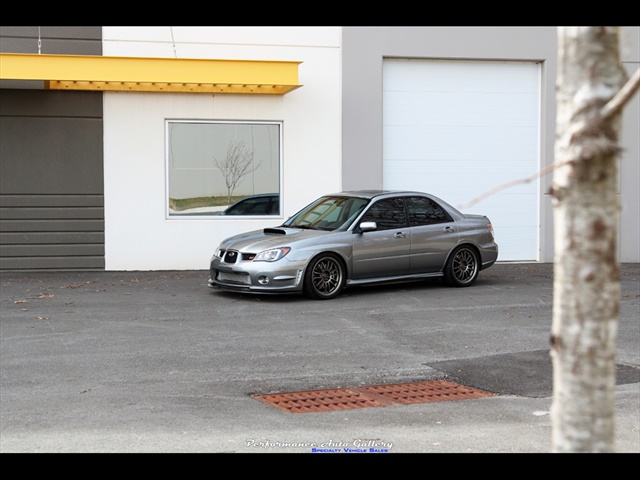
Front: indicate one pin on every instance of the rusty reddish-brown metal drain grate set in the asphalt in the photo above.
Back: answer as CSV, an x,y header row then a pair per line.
x,y
312,401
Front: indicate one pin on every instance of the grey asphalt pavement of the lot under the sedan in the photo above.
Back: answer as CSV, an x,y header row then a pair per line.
x,y
157,362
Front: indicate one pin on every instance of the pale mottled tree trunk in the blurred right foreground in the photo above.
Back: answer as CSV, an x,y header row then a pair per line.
x,y
586,215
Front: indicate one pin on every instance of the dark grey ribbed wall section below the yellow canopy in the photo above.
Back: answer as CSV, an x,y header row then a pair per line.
x,y
51,180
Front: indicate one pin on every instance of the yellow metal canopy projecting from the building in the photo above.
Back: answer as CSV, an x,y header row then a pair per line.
x,y
145,74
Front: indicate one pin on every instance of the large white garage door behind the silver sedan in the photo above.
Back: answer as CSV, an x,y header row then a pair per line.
x,y
458,129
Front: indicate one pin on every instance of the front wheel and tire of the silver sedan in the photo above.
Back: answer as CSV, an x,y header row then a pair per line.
x,y
324,278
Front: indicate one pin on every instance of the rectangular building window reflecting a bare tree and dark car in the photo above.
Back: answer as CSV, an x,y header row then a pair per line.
x,y
211,166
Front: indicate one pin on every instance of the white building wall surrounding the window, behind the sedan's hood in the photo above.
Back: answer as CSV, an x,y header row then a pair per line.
x,y
138,234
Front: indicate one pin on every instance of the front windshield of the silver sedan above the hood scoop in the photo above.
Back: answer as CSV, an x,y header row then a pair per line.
x,y
328,213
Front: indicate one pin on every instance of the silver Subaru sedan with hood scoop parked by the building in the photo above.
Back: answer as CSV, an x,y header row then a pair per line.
x,y
357,238
